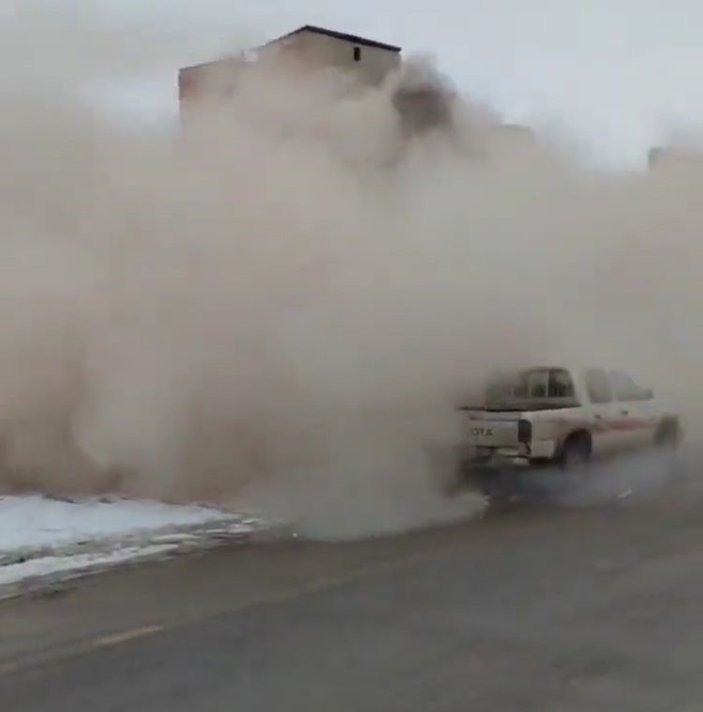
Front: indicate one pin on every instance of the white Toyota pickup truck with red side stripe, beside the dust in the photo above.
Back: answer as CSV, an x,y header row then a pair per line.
x,y
561,416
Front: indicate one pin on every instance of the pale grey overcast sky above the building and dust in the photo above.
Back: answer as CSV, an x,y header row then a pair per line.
x,y
616,75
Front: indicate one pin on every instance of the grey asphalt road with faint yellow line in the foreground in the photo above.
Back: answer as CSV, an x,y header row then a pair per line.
x,y
567,611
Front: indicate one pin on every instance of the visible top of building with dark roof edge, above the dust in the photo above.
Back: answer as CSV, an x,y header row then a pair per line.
x,y
308,48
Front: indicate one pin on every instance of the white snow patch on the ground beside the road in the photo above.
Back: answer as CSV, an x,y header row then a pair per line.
x,y
42,537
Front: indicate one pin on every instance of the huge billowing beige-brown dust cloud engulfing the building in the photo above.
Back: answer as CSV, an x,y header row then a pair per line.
x,y
282,306
